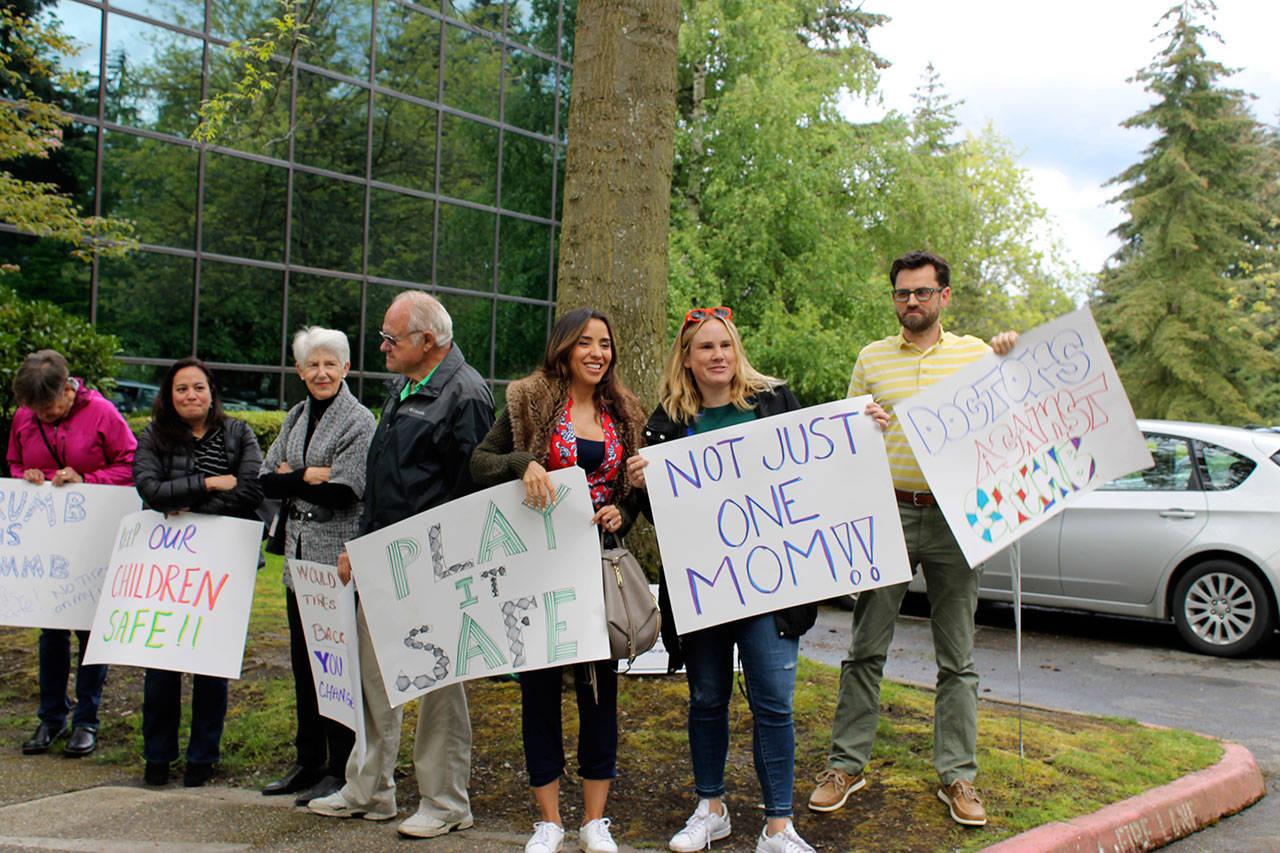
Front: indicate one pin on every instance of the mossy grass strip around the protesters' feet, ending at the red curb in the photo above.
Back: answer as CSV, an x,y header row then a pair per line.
x,y
1073,765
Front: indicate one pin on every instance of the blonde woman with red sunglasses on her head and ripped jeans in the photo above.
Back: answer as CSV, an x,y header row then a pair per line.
x,y
708,385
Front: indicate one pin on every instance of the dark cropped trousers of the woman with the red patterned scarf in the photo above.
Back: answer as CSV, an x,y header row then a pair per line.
x,y
543,731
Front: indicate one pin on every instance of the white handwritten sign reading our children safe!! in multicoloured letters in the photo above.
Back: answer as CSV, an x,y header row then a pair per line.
x,y
177,594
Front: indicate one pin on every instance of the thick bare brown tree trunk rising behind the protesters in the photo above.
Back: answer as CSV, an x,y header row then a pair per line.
x,y
621,126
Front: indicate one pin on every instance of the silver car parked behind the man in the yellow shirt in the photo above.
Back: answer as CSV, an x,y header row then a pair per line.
x,y
1195,539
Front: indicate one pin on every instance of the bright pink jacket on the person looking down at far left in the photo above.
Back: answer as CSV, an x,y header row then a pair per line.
x,y
93,439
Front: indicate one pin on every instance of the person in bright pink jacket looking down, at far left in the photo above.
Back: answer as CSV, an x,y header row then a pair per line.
x,y
66,434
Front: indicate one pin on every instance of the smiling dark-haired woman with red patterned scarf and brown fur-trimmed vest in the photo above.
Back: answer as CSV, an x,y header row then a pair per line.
x,y
573,412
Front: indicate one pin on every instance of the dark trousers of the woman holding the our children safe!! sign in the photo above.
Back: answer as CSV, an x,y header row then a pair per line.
x,y
162,711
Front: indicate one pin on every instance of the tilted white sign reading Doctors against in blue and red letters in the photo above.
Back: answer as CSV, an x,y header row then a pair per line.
x,y
1008,443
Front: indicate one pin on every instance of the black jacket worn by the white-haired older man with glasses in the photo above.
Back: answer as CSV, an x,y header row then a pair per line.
x,y
422,451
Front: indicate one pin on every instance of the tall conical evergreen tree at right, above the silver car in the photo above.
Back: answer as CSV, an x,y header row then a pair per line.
x,y
1196,222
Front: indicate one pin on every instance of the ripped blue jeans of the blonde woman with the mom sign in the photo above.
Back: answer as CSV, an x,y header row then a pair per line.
x,y
770,672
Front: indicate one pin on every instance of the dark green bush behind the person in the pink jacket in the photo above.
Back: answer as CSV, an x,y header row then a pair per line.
x,y
30,326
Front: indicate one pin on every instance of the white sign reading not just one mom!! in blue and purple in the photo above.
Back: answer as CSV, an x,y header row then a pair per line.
x,y
775,513
